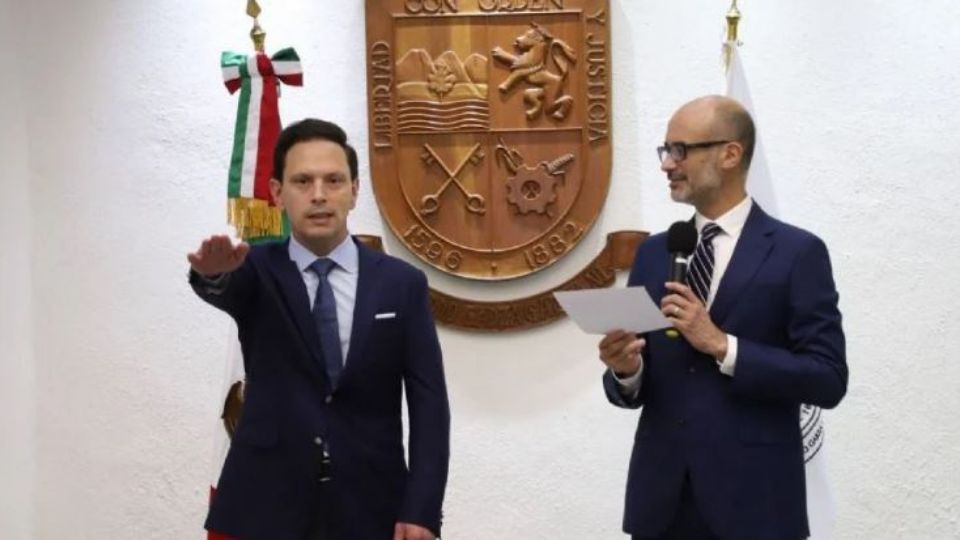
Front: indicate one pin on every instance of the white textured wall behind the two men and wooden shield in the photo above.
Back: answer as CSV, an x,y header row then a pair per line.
x,y
128,128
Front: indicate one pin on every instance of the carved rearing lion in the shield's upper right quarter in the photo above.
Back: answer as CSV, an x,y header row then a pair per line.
x,y
536,48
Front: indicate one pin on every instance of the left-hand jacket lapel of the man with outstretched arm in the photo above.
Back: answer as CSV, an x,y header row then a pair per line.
x,y
287,278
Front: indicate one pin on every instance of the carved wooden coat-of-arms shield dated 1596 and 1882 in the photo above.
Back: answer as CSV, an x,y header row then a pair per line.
x,y
489,128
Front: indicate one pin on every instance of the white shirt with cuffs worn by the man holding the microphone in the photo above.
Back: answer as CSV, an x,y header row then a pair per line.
x,y
731,224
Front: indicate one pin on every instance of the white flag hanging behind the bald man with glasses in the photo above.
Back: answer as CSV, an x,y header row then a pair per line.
x,y
821,511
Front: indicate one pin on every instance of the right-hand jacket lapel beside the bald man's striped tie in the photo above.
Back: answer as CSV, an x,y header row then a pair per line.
x,y
751,251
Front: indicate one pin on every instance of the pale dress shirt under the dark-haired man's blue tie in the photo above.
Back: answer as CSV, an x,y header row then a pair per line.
x,y
343,278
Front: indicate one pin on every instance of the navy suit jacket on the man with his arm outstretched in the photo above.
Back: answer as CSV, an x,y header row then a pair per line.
x,y
268,486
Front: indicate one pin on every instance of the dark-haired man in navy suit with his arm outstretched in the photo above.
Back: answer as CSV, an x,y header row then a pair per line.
x,y
332,334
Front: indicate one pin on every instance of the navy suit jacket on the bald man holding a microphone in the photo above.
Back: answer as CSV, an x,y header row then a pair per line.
x,y
737,437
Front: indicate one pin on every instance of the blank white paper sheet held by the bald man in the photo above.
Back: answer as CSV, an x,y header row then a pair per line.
x,y
598,311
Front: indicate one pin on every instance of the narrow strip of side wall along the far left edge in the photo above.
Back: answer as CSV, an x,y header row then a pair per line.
x,y
17,380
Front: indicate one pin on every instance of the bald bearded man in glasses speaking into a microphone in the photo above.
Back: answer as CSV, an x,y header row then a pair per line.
x,y
718,450
